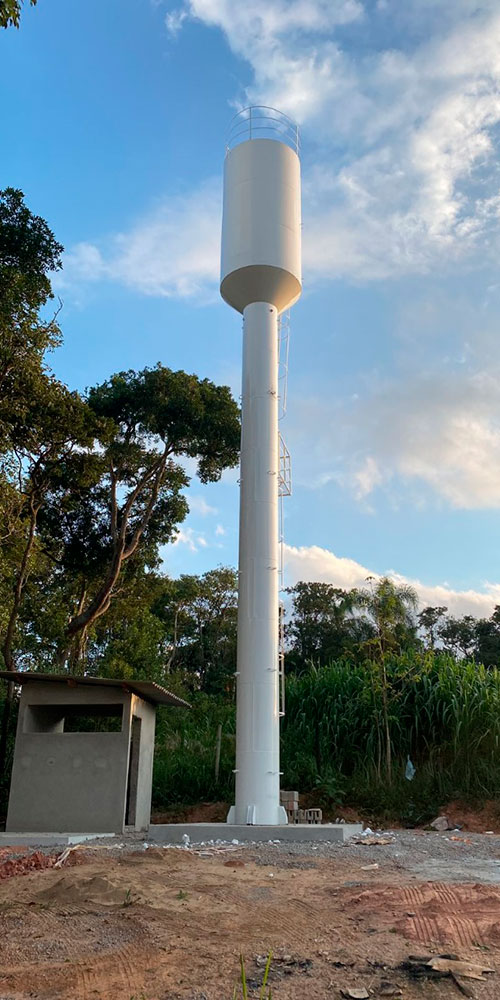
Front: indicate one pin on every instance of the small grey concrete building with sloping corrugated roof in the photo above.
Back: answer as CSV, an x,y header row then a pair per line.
x,y
83,758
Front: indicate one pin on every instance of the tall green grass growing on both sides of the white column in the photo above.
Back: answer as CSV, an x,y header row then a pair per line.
x,y
441,713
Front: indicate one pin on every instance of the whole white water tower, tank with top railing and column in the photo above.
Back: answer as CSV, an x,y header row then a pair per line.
x,y
260,278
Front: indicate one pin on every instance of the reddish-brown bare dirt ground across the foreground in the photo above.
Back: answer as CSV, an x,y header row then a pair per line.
x,y
166,924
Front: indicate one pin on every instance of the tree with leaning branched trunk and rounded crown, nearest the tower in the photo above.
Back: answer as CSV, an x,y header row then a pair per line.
x,y
158,418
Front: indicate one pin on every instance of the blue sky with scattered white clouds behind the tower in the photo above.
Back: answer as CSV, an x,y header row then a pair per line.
x,y
114,127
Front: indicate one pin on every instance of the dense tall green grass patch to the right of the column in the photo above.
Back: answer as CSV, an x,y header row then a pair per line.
x,y
441,713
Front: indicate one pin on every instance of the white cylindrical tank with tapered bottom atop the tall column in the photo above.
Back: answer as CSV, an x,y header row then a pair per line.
x,y
261,228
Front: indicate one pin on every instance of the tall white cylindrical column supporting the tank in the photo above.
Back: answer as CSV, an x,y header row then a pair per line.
x,y
257,692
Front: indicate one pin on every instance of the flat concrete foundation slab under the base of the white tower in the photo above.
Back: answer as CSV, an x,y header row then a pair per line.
x,y
173,833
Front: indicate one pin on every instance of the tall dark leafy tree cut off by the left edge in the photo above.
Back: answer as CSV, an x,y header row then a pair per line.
x,y
28,253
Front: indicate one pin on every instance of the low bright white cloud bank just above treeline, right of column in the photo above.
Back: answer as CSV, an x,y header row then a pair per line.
x,y
313,563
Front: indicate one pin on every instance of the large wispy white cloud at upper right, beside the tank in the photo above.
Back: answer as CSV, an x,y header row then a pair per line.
x,y
400,127
